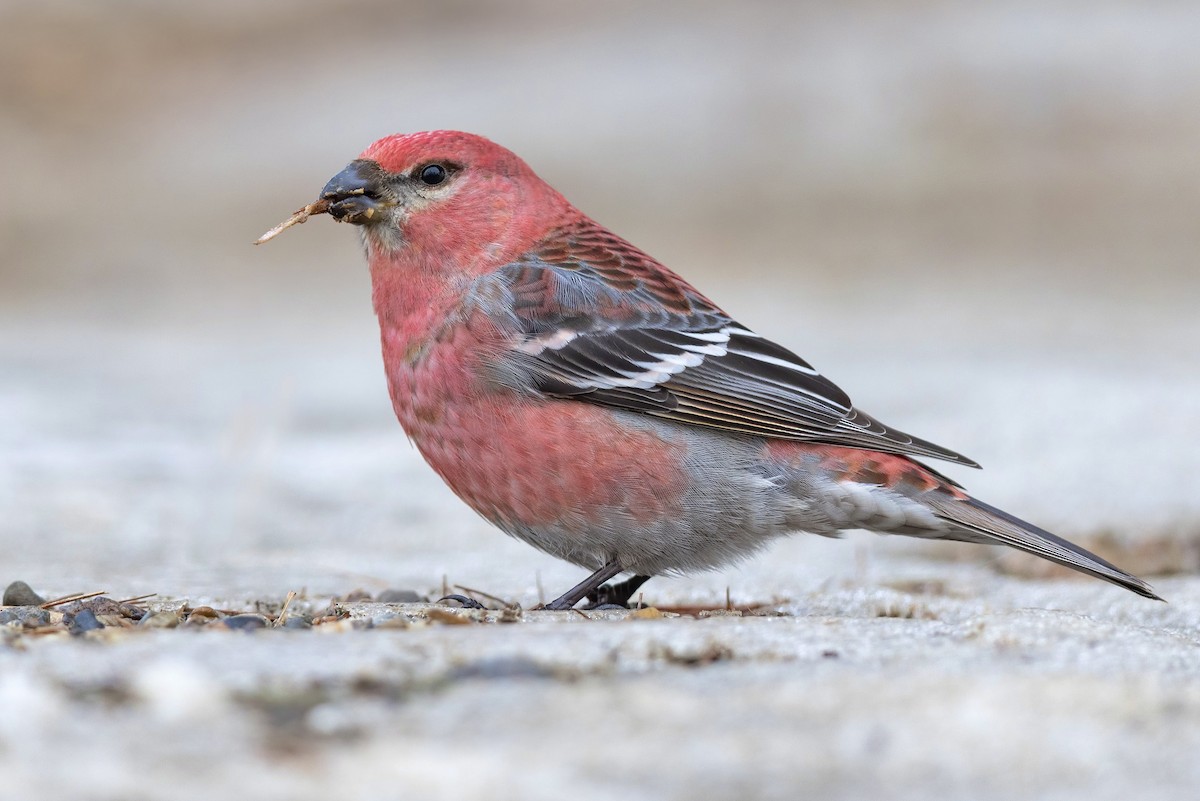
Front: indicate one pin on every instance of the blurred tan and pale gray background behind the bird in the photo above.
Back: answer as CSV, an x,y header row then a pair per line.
x,y
979,219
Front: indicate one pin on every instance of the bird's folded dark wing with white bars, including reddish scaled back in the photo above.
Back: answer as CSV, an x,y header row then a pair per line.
x,y
602,322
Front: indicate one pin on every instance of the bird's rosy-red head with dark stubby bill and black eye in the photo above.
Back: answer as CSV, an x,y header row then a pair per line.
x,y
443,197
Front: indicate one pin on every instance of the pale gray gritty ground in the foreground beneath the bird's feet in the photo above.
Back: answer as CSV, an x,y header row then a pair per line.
x,y
842,694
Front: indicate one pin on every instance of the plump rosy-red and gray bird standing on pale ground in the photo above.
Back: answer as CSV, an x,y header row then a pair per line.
x,y
591,402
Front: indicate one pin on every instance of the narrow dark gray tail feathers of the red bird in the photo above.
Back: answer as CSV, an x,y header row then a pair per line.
x,y
979,522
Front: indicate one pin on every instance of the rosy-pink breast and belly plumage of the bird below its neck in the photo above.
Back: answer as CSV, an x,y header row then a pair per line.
x,y
526,460
